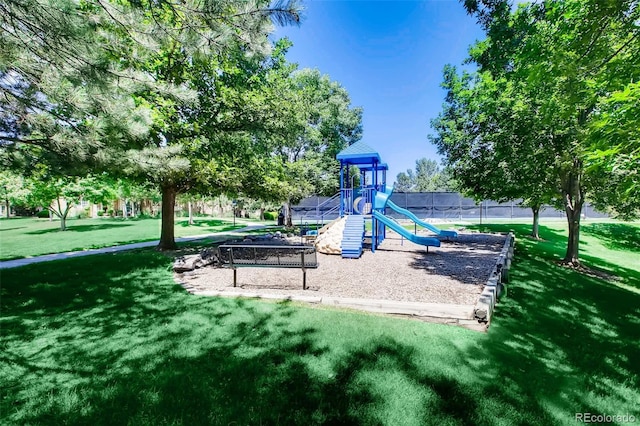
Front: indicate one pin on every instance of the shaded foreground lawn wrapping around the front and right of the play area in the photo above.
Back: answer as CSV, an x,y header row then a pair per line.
x,y
111,339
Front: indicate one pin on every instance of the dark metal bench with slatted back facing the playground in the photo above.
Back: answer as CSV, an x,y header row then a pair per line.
x,y
268,256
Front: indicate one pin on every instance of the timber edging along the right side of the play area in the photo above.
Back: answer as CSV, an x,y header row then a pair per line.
x,y
495,285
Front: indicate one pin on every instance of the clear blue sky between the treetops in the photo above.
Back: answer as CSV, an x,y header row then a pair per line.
x,y
389,55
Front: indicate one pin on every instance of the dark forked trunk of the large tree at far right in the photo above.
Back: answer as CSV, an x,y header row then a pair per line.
x,y
573,195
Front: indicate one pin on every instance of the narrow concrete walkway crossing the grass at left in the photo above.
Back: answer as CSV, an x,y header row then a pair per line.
x,y
68,255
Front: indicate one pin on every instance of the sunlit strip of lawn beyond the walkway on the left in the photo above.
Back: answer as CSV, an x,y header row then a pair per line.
x,y
26,237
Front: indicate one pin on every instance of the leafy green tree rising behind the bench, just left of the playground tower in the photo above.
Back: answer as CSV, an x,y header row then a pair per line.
x,y
318,124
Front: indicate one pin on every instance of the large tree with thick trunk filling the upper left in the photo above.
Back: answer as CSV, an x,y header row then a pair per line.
x,y
113,85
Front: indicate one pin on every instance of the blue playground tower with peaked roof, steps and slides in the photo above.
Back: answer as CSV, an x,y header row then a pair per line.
x,y
368,202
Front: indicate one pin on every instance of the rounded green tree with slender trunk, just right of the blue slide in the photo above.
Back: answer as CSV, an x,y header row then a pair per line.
x,y
487,132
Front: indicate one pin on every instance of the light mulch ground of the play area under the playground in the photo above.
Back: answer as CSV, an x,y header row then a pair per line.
x,y
441,284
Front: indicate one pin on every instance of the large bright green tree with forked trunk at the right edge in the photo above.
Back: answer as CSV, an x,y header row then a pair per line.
x,y
564,61
